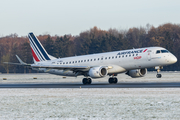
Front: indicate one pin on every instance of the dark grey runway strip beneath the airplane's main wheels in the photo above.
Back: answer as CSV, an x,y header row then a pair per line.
x,y
95,85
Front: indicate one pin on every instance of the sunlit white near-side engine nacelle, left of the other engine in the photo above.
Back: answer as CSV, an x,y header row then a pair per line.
x,y
98,72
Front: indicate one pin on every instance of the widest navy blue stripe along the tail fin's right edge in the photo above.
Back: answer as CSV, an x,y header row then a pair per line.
x,y
39,46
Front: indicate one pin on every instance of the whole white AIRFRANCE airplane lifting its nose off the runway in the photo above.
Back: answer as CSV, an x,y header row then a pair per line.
x,y
133,62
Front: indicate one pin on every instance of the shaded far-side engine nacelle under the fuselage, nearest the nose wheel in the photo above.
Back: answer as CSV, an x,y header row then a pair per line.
x,y
137,73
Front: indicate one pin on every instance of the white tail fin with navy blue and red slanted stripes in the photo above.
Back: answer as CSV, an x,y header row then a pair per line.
x,y
38,51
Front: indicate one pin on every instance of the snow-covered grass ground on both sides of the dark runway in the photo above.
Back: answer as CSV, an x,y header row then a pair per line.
x,y
94,103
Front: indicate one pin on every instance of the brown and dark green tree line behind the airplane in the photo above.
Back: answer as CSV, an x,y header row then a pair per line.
x,y
92,41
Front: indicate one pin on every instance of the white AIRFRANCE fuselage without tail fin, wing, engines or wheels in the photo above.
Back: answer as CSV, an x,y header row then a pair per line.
x,y
118,61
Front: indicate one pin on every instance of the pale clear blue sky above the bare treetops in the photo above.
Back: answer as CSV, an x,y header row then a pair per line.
x,y
60,17
